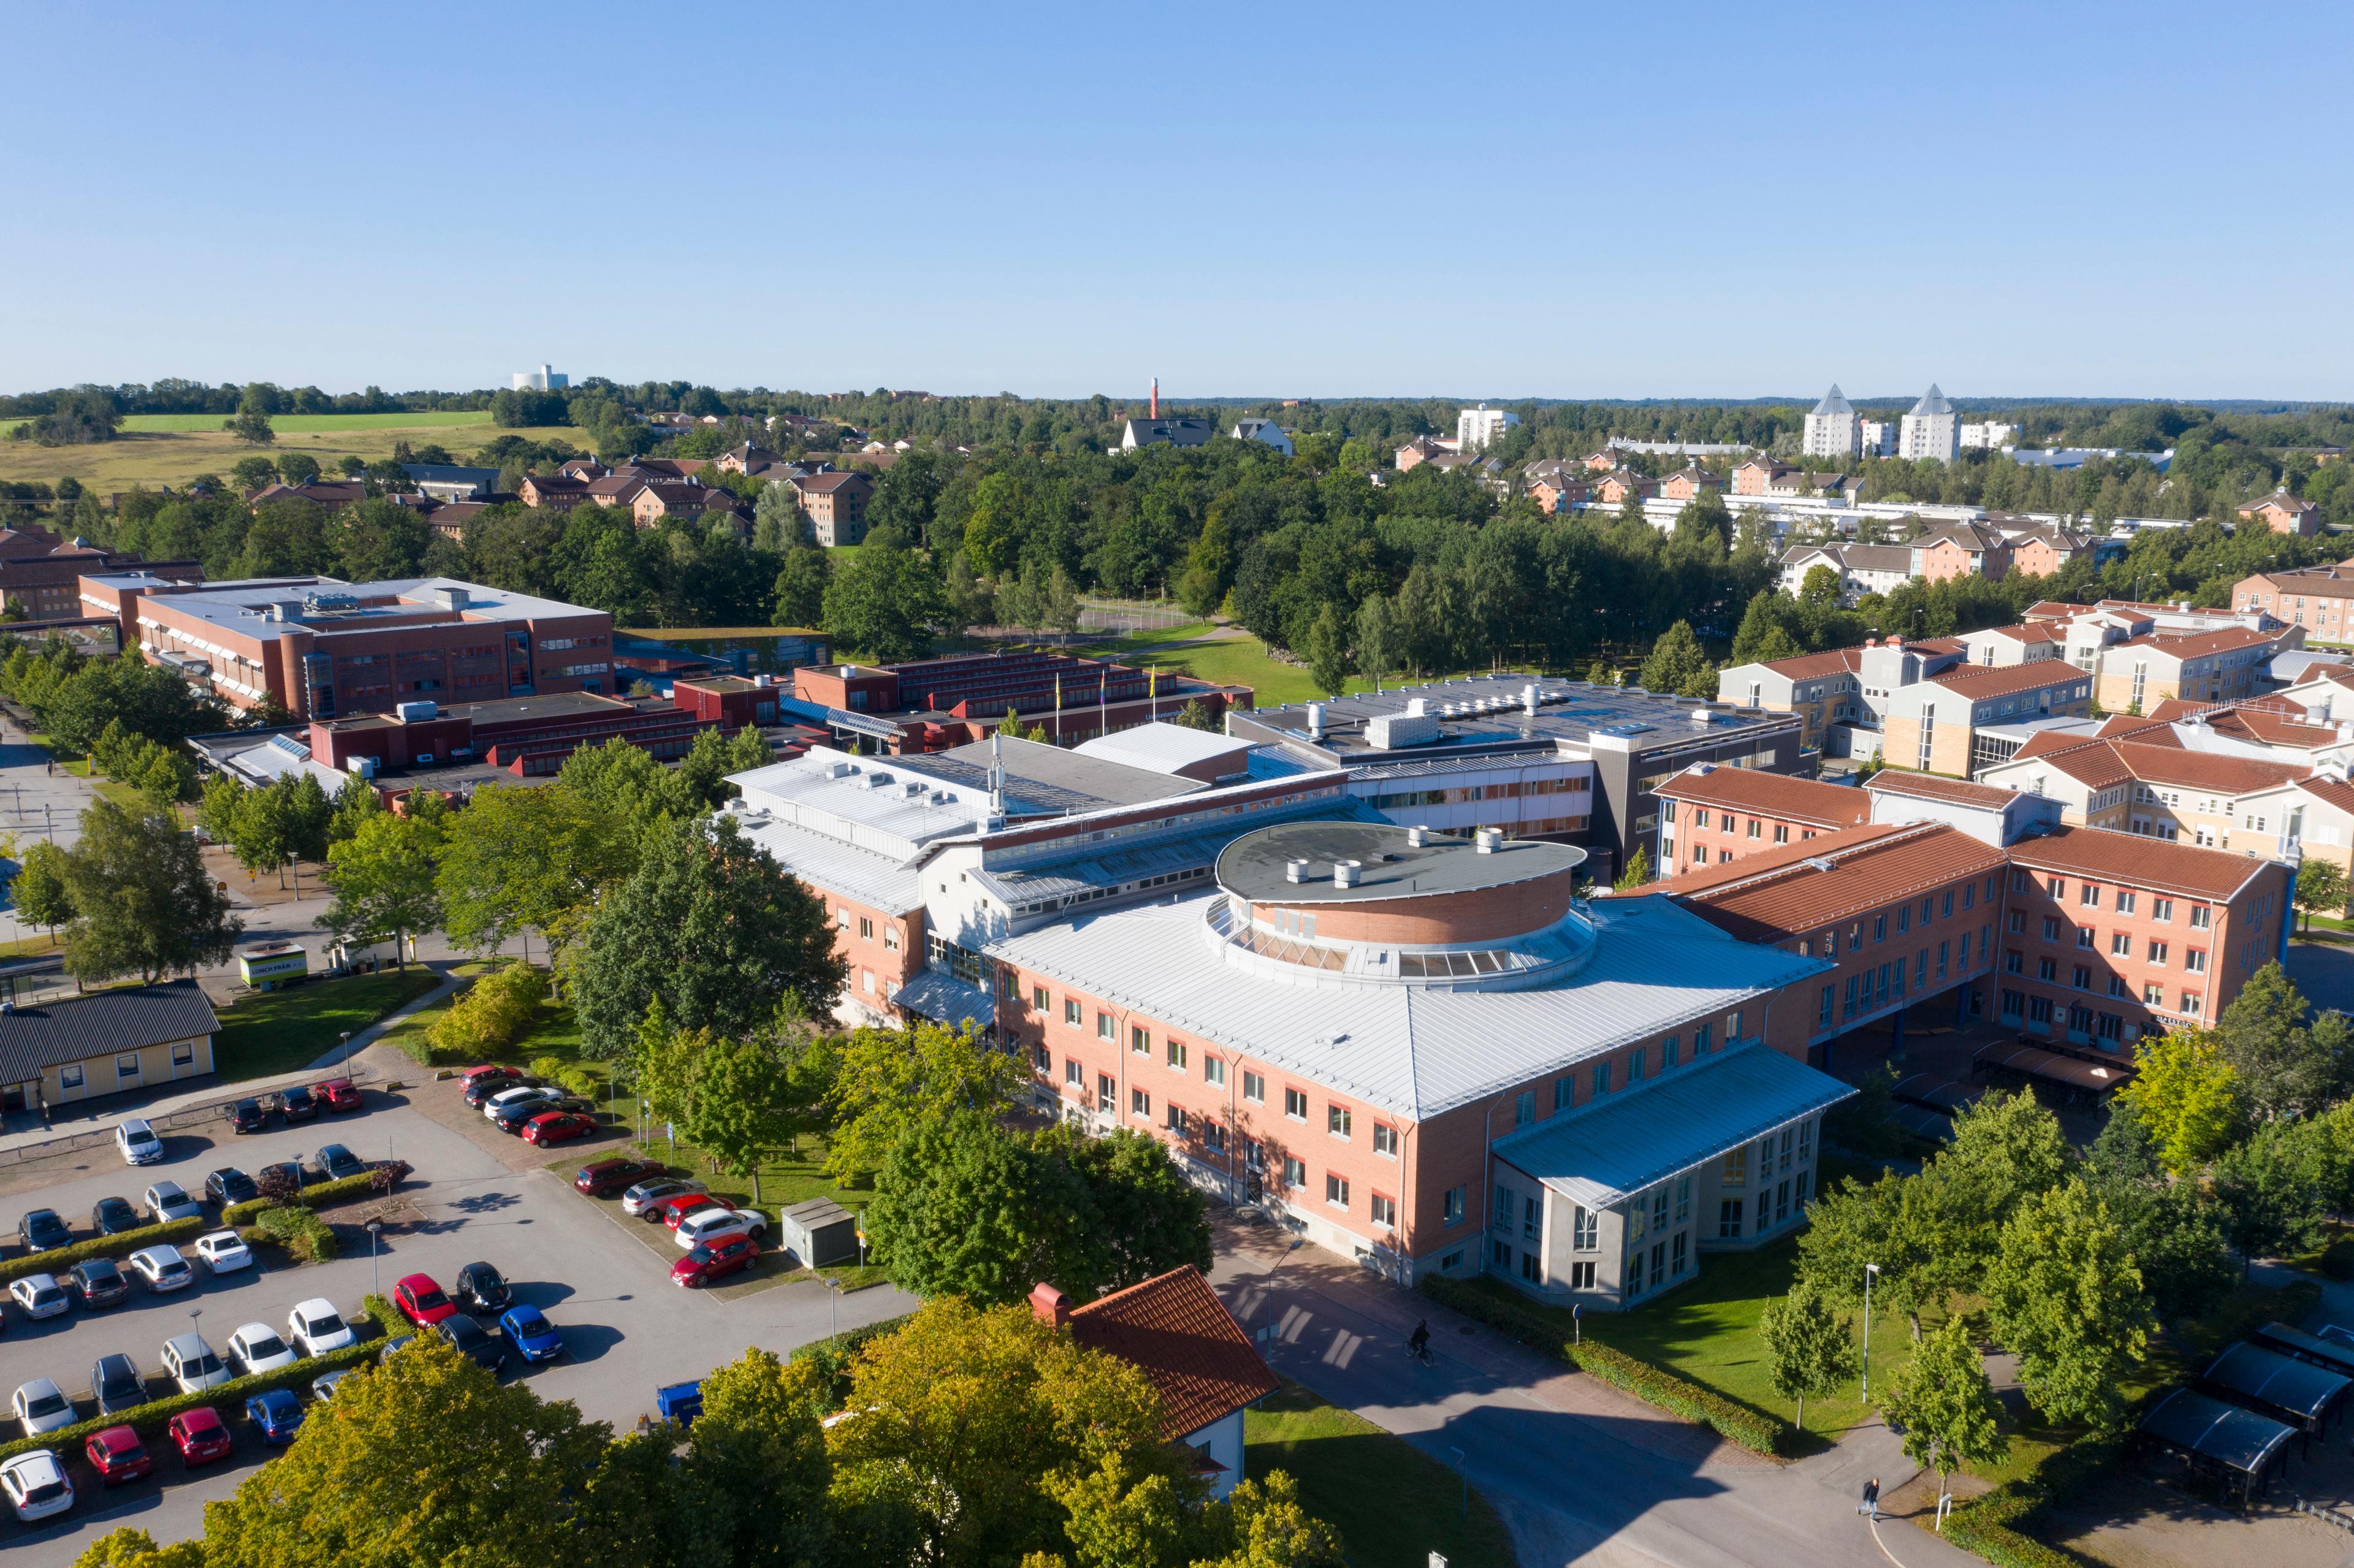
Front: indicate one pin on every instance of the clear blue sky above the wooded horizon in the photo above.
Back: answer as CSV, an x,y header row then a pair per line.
x,y
1270,199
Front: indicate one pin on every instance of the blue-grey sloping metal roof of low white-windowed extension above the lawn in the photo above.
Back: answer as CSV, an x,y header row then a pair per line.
x,y
1623,1143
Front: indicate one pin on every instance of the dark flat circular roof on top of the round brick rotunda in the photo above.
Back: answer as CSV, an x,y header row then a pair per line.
x,y
1390,868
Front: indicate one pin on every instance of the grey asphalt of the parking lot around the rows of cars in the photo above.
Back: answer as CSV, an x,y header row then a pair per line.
x,y
479,1197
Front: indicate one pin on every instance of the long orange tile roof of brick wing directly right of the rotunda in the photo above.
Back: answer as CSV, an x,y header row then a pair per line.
x,y
1835,879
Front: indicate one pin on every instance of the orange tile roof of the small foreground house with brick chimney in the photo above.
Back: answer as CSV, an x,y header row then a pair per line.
x,y
1178,1334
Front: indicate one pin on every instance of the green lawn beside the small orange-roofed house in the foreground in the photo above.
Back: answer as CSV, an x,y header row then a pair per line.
x,y
1390,1501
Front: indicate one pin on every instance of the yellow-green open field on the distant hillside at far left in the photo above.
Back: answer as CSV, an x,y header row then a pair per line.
x,y
175,458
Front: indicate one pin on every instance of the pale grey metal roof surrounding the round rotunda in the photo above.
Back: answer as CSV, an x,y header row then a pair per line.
x,y
1416,1051
